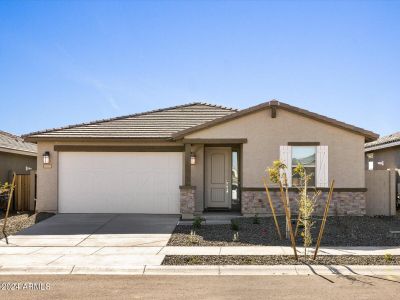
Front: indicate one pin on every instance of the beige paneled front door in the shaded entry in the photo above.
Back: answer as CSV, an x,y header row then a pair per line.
x,y
218,177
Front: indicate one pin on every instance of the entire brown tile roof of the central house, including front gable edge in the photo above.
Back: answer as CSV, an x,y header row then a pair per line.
x,y
175,122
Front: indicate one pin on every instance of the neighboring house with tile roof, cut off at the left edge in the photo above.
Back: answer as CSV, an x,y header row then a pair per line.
x,y
16,155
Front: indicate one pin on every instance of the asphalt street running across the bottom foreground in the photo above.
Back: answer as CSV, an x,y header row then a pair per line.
x,y
201,287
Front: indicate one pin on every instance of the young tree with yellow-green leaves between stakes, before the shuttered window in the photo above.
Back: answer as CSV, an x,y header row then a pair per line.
x,y
306,203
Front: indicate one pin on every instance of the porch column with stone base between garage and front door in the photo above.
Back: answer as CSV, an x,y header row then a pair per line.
x,y
187,191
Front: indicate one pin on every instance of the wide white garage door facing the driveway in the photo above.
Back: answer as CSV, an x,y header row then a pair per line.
x,y
119,182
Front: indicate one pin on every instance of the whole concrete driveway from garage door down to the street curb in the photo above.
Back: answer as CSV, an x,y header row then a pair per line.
x,y
88,243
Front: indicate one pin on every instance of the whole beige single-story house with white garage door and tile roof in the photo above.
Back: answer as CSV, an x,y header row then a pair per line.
x,y
197,157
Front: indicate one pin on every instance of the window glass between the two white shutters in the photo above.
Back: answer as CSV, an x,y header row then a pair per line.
x,y
306,156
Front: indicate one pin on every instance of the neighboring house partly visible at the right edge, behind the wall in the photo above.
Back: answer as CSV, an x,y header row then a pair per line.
x,y
384,154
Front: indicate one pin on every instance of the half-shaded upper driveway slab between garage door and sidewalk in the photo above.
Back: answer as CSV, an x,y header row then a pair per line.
x,y
97,230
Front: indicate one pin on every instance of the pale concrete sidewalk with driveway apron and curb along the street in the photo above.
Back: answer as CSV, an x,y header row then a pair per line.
x,y
99,259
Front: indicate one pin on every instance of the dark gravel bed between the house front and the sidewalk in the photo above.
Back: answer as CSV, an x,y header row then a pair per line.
x,y
339,231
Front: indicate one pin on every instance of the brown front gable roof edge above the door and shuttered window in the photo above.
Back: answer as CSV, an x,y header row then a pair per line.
x,y
369,135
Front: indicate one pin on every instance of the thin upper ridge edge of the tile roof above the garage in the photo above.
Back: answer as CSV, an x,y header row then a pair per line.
x,y
124,117
